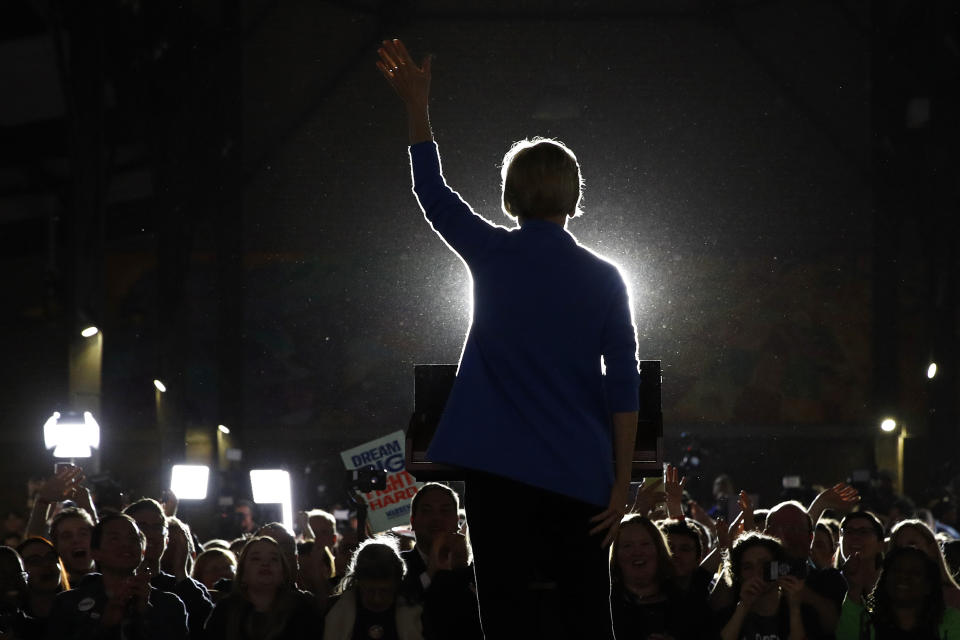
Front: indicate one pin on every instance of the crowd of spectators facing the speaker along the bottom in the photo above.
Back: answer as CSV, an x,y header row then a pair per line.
x,y
839,567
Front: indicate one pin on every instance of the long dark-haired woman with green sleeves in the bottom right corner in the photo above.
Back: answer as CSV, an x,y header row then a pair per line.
x,y
907,602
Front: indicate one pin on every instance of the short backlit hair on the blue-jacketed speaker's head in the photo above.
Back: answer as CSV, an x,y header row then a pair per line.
x,y
541,179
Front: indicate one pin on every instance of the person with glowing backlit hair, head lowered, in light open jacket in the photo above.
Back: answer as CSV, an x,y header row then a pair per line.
x,y
368,603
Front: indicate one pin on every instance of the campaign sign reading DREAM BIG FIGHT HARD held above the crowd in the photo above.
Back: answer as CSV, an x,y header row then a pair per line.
x,y
389,507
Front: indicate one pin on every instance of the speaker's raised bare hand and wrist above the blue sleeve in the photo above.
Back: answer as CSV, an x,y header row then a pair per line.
x,y
412,84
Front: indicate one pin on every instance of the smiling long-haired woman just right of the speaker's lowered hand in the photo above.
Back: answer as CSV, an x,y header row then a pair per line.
x,y
645,599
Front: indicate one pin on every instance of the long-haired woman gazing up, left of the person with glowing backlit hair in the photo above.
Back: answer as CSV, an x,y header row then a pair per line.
x,y
265,603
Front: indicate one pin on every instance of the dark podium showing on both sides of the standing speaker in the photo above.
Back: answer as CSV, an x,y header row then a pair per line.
x,y
432,385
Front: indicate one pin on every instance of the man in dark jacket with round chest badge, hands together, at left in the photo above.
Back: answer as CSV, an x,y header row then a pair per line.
x,y
117,603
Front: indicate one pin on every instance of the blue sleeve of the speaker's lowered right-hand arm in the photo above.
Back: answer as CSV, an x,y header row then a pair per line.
x,y
619,350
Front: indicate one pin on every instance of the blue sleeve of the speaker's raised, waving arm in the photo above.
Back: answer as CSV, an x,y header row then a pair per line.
x,y
467,233
